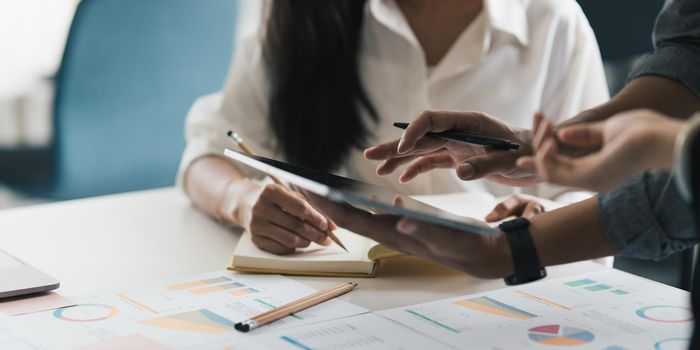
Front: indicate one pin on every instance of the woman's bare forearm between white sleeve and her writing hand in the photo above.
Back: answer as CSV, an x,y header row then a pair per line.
x,y
207,180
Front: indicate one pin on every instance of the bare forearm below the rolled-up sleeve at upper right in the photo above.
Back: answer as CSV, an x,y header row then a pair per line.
x,y
652,92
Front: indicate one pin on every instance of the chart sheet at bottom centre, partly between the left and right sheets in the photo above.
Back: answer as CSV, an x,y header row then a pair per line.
x,y
362,332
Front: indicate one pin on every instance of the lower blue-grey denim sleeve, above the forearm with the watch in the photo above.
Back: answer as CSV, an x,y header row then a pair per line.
x,y
647,218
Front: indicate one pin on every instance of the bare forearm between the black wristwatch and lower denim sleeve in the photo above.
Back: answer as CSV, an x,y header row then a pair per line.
x,y
571,233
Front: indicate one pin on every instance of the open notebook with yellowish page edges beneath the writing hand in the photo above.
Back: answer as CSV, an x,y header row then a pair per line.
x,y
364,255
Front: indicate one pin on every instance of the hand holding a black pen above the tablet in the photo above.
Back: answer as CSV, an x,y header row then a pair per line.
x,y
471,162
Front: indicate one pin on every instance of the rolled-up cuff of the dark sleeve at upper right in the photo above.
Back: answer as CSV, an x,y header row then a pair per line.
x,y
672,61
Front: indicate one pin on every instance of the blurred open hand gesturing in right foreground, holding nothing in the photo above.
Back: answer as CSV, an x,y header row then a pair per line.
x,y
615,149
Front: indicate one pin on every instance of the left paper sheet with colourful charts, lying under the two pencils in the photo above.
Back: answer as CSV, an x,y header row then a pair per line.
x,y
183,312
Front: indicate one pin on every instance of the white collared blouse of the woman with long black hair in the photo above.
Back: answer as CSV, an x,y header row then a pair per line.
x,y
516,58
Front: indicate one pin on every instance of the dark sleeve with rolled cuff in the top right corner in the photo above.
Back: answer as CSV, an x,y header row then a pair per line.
x,y
677,45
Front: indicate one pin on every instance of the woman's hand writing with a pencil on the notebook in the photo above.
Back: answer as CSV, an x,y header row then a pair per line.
x,y
279,220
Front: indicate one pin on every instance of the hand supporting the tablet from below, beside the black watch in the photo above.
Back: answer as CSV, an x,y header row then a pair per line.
x,y
477,255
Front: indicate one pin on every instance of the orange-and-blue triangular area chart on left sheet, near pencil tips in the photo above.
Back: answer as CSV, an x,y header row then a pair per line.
x,y
203,321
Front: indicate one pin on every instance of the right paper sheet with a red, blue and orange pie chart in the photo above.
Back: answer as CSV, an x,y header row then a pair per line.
x,y
604,310
